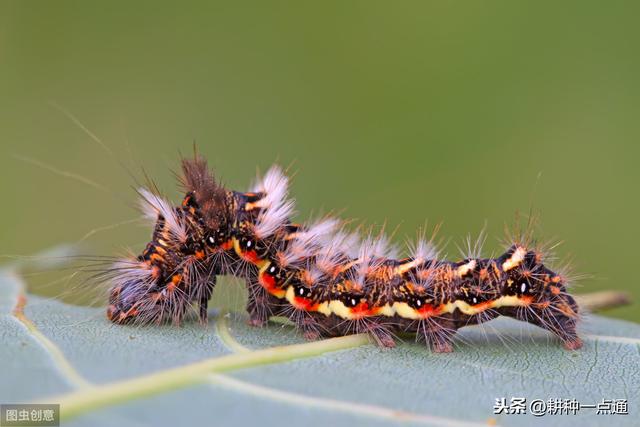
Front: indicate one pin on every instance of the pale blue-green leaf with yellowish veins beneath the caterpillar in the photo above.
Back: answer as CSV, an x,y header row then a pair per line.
x,y
228,373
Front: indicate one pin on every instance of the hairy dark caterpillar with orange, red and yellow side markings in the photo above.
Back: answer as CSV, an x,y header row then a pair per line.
x,y
324,279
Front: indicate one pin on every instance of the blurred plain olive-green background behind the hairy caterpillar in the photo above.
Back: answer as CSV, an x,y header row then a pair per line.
x,y
462,112
